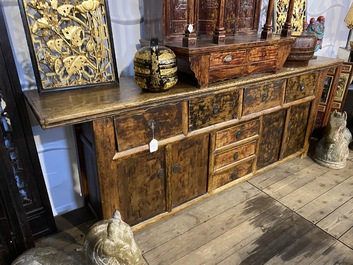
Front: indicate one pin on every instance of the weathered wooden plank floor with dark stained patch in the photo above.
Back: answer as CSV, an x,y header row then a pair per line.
x,y
296,213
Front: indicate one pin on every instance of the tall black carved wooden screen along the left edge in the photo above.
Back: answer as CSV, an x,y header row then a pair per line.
x,y
17,139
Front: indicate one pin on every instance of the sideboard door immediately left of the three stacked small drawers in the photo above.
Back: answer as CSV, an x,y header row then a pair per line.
x,y
189,163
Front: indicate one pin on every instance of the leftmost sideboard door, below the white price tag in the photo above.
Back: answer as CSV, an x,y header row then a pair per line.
x,y
142,185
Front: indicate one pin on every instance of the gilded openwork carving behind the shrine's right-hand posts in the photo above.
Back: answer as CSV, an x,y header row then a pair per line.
x,y
299,15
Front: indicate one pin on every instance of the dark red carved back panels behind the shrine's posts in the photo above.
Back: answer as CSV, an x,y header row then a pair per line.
x,y
167,19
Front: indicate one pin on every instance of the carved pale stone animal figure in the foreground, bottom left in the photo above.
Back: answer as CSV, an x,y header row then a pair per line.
x,y
108,242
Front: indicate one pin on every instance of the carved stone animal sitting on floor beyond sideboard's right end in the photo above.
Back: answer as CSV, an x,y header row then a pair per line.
x,y
332,149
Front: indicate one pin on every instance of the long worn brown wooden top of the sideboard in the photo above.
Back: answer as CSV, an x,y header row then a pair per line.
x,y
77,106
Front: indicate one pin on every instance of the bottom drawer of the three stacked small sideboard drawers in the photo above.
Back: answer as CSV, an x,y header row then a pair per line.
x,y
240,170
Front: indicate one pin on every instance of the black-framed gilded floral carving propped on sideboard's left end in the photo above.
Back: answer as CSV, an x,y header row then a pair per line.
x,y
70,43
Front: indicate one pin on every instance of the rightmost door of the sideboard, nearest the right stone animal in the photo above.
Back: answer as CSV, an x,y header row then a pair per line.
x,y
296,129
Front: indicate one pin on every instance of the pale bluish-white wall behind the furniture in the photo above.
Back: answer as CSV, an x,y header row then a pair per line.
x,y
56,147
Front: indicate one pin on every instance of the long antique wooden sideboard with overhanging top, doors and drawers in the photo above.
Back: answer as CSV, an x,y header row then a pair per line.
x,y
209,138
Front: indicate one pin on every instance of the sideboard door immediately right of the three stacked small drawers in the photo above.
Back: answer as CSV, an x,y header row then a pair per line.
x,y
271,138
